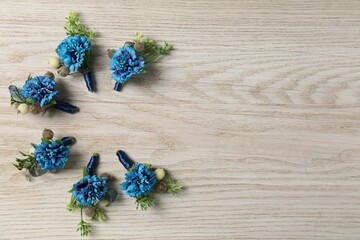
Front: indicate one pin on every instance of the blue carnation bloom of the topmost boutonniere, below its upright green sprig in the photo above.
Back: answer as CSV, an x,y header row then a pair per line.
x,y
72,51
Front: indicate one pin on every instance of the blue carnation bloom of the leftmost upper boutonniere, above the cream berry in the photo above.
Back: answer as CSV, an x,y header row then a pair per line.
x,y
40,89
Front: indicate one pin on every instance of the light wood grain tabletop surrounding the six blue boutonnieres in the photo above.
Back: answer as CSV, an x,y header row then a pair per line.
x,y
256,112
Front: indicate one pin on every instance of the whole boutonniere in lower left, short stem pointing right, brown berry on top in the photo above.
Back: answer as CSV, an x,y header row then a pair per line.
x,y
48,156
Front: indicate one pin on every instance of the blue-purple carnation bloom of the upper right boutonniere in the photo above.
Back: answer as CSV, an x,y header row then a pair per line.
x,y
126,64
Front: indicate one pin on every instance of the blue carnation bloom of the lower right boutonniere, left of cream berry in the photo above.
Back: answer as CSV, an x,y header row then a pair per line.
x,y
139,182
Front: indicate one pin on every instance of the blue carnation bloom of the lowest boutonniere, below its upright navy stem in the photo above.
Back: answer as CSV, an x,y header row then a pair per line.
x,y
90,190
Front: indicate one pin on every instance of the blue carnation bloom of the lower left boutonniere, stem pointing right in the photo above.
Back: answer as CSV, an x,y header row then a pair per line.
x,y
51,156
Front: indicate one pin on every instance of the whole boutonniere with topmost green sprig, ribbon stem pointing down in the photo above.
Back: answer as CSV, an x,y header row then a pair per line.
x,y
75,51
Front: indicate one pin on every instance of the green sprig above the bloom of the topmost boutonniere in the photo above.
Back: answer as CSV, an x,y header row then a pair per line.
x,y
74,27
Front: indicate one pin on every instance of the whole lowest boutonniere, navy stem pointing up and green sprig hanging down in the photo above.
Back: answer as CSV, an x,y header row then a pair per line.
x,y
90,195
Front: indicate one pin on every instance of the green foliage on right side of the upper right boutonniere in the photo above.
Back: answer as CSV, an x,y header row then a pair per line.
x,y
152,52
